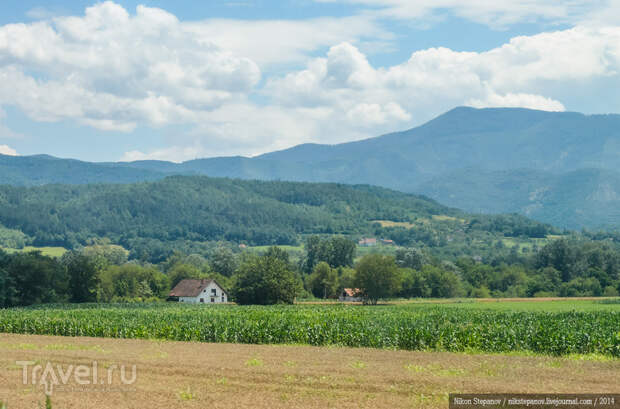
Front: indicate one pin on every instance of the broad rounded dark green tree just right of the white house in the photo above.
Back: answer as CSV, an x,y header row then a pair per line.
x,y
265,280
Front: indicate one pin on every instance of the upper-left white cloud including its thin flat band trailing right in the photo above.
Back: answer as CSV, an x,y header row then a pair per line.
x,y
114,71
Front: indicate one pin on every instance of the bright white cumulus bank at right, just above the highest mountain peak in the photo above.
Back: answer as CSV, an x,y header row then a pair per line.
x,y
531,72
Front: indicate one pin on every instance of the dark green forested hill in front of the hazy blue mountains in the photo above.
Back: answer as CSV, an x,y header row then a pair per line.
x,y
151,218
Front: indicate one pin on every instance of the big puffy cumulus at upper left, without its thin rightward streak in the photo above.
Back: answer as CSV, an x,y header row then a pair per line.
x,y
112,70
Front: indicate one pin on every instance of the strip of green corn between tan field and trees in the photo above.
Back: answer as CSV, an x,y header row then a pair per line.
x,y
411,327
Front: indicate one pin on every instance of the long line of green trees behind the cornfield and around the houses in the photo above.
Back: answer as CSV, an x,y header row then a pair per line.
x,y
102,272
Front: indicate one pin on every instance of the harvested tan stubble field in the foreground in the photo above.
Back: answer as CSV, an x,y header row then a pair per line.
x,y
192,375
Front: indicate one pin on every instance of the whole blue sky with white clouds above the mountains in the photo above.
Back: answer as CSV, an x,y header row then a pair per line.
x,y
133,80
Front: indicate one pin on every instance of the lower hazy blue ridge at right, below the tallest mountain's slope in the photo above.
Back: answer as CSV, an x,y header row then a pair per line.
x,y
581,198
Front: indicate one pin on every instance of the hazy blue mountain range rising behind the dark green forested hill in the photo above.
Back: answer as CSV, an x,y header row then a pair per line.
x,y
557,167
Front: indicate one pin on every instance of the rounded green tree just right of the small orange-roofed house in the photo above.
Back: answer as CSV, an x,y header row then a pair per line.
x,y
377,277
